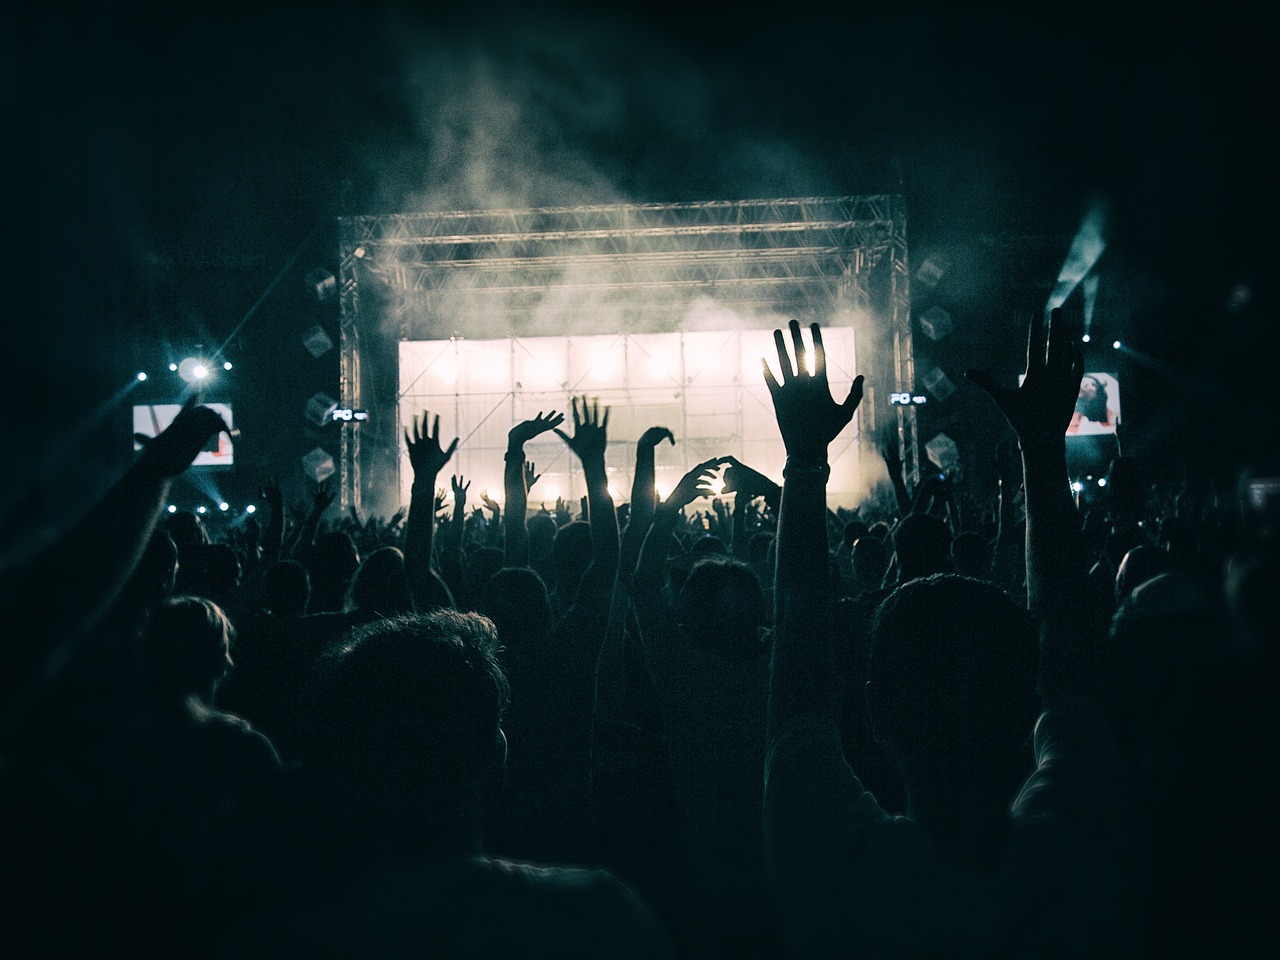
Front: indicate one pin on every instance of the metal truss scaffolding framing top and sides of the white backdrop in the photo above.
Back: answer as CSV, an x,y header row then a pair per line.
x,y
624,268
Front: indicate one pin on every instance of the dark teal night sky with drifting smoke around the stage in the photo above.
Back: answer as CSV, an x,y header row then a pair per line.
x,y
170,164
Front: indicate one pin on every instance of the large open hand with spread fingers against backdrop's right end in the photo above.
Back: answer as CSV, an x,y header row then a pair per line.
x,y
808,417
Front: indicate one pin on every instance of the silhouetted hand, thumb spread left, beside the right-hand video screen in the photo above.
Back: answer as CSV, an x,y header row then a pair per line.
x,y
1041,409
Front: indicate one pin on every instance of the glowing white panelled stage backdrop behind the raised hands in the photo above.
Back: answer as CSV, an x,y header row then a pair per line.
x,y
706,387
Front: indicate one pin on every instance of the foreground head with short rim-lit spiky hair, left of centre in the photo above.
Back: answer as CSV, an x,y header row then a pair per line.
x,y
415,697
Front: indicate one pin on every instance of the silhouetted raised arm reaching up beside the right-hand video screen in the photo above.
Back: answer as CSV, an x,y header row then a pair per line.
x,y
1040,412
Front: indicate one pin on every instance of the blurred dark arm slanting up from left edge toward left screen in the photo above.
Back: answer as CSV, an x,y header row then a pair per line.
x,y
61,592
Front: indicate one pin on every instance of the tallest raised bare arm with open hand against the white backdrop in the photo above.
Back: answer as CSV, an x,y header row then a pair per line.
x,y
804,676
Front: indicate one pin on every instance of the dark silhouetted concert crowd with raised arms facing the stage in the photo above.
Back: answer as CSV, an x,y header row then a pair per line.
x,y
729,723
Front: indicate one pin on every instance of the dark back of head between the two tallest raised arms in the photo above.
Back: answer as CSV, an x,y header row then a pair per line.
x,y
954,669
